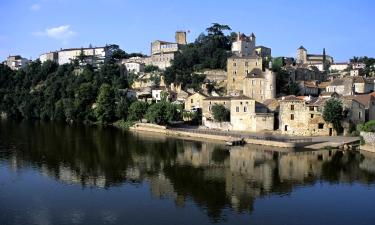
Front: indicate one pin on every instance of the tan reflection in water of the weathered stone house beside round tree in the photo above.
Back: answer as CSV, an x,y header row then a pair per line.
x,y
296,166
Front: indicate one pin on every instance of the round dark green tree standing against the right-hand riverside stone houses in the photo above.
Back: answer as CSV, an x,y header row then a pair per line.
x,y
333,113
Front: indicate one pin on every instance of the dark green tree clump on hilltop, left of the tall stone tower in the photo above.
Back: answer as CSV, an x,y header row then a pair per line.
x,y
209,51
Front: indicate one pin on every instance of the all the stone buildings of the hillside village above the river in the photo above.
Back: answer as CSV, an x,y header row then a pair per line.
x,y
249,85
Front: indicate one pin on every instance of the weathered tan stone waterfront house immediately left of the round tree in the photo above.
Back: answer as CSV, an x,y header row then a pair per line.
x,y
302,116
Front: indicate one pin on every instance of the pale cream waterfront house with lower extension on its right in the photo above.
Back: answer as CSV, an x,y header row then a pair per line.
x,y
249,115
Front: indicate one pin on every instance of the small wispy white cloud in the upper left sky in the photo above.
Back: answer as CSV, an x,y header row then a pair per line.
x,y
62,33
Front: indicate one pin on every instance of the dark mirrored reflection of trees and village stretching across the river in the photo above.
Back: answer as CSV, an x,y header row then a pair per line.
x,y
215,177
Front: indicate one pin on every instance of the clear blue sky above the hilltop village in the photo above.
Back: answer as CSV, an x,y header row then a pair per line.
x,y
31,27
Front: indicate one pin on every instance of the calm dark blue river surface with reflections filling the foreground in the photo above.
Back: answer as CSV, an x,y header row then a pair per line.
x,y
58,174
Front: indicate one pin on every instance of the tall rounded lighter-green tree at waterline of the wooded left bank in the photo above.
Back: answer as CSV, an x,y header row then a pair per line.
x,y
105,109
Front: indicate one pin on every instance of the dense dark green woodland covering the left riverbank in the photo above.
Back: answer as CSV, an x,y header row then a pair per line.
x,y
51,92
